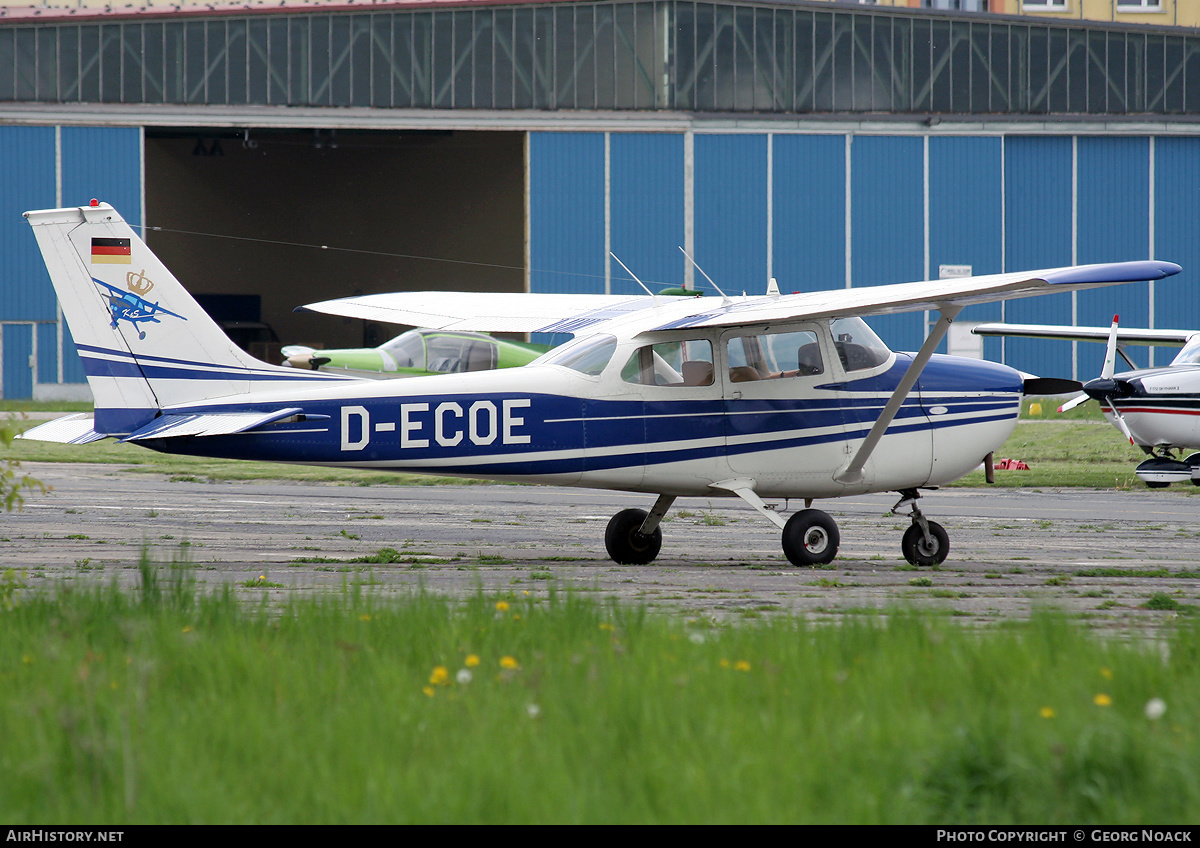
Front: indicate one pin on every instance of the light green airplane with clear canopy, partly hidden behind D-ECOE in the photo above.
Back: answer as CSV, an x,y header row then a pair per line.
x,y
418,353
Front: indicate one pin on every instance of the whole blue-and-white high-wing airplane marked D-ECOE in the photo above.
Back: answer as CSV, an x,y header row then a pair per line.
x,y
776,396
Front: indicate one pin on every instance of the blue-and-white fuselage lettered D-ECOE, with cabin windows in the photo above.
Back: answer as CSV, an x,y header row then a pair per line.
x,y
670,414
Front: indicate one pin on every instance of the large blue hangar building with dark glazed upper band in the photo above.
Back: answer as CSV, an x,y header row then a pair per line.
x,y
289,154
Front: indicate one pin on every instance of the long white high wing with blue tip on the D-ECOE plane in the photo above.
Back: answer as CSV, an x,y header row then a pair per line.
x,y
574,312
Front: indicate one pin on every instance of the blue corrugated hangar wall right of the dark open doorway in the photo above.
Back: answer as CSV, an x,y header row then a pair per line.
x,y
995,203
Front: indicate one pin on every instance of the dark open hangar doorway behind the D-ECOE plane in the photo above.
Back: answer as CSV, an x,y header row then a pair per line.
x,y
259,222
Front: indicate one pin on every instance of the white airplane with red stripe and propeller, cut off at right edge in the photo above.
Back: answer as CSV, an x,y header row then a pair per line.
x,y
1157,410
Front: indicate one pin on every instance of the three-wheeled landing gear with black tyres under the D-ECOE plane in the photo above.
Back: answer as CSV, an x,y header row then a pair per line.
x,y
809,538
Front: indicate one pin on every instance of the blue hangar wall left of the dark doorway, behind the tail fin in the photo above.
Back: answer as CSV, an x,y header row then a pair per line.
x,y
103,163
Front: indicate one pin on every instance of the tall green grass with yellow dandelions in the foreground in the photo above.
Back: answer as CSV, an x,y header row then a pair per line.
x,y
169,706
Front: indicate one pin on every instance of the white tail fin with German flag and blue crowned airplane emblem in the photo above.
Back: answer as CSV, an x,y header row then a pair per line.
x,y
146,342
